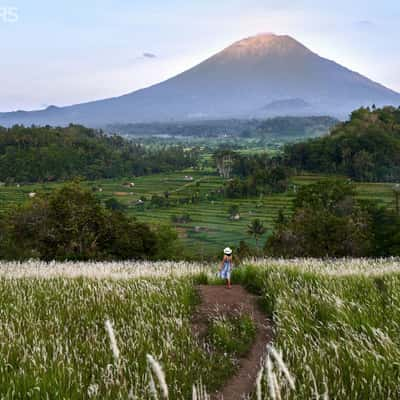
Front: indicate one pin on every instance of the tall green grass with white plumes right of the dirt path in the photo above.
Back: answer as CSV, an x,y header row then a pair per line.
x,y
339,332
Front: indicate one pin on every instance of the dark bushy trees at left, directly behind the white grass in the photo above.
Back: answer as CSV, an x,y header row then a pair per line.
x,y
72,224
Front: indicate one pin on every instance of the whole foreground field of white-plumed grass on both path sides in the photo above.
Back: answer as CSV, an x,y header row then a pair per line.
x,y
123,330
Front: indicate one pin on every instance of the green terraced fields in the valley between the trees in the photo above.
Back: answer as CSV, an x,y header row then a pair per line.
x,y
210,228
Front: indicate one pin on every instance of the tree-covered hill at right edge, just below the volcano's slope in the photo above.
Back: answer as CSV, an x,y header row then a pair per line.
x,y
365,148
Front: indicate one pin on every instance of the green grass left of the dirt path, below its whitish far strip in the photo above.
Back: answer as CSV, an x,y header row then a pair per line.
x,y
55,345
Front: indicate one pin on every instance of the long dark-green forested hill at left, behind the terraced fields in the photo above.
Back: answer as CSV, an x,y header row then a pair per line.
x,y
49,154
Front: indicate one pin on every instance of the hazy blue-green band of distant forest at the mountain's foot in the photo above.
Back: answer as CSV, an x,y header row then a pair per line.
x,y
279,127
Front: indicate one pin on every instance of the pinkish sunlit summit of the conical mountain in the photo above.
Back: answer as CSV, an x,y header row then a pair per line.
x,y
266,44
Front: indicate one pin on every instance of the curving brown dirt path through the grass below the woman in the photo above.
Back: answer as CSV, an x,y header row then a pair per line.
x,y
218,300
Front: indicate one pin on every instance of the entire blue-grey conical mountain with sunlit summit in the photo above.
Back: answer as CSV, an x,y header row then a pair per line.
x,y
240,81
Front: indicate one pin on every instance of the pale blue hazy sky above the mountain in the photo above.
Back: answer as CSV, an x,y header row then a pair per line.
x,y
65,52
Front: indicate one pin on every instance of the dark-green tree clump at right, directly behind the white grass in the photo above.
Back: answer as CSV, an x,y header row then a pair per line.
x,y
329,221
